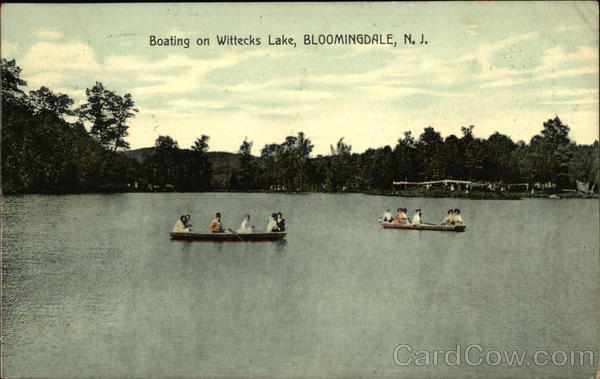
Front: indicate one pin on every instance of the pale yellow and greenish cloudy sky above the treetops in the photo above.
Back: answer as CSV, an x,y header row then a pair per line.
x,y
500,66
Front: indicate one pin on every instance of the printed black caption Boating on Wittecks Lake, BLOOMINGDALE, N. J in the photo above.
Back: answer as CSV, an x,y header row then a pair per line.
x,y
283,40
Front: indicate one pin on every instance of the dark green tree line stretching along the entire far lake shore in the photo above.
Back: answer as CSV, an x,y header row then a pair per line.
x,y
50,146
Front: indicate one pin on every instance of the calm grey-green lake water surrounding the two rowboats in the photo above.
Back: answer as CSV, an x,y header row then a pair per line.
x,y
93,286
